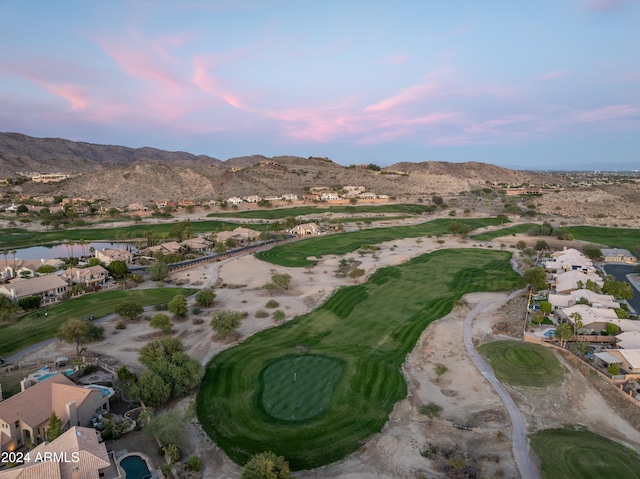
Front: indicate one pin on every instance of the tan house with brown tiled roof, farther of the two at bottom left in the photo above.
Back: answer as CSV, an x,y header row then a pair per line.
x,y
24,417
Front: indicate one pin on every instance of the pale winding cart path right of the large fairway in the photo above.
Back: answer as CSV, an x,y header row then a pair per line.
x,y
520,445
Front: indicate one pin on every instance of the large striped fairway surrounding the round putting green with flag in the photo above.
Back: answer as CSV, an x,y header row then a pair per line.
x,y
316,387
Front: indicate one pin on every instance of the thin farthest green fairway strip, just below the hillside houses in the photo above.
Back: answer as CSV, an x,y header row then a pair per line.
x,y
280,213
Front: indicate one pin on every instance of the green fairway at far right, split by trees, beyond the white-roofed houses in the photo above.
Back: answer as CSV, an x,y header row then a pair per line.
x,y
627,238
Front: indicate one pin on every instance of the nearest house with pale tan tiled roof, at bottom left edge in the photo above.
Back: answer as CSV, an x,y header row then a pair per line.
x,y
83,457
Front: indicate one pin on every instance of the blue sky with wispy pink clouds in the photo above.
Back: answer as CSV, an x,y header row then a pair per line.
x,y
535,85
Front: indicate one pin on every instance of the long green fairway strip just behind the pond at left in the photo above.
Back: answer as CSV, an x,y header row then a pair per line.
x,y
20,238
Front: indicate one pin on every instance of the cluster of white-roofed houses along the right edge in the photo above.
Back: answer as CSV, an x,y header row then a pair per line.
x,y
571,272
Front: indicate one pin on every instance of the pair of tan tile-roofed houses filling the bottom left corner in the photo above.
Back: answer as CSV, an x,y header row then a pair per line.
x,y
24,424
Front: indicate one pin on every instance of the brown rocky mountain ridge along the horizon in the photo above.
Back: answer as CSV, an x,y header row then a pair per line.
x,y
128,175
